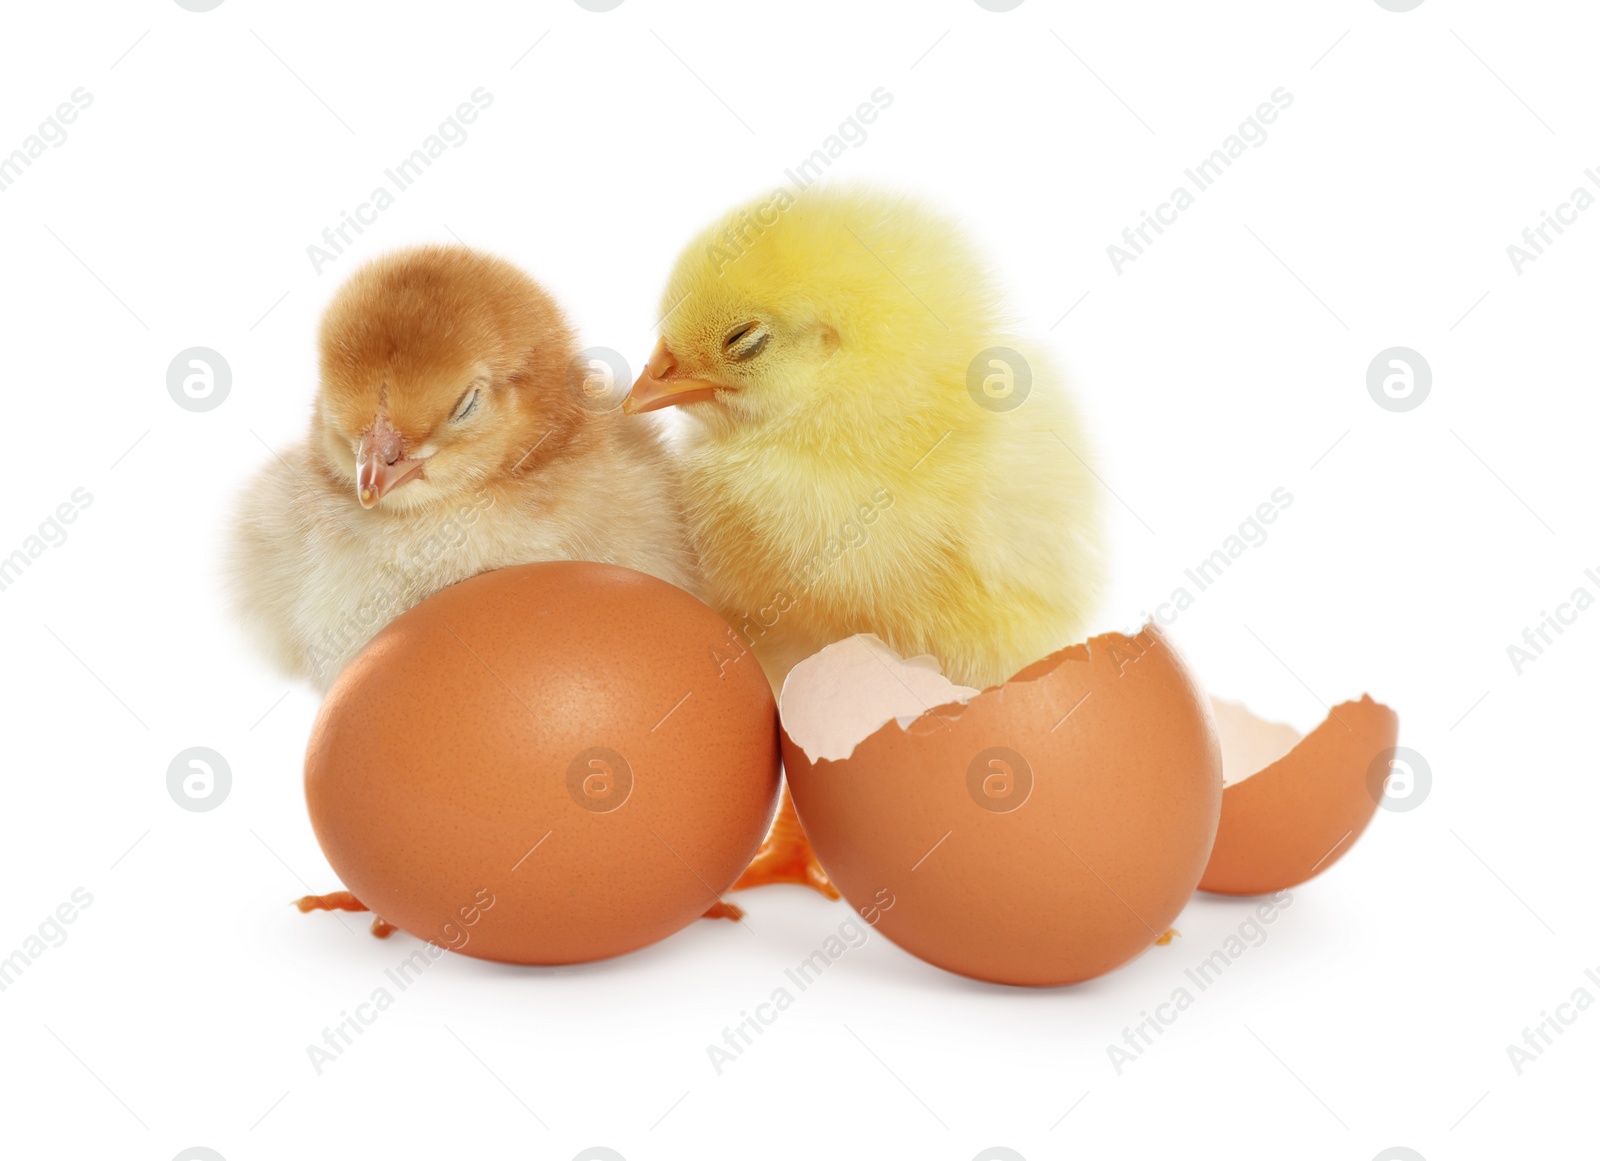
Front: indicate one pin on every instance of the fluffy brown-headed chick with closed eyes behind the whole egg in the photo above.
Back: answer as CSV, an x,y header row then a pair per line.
x,y
446,442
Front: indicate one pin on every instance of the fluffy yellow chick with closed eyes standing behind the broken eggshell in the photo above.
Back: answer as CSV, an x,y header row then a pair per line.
x,y
870,450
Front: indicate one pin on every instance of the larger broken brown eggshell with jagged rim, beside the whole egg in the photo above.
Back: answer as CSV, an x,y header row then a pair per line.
x,y
1042,834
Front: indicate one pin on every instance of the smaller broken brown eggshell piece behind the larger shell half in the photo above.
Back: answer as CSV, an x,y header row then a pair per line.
x,y
1294,807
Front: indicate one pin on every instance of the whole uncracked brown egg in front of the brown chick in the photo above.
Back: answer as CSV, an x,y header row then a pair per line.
x,y
546,764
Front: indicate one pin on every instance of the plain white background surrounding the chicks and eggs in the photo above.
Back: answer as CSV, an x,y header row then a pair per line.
x,y
1225,364
